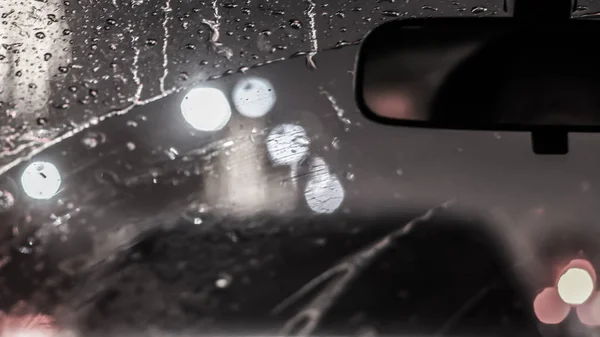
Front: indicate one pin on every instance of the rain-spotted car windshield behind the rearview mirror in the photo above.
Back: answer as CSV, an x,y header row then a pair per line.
x,y
185,168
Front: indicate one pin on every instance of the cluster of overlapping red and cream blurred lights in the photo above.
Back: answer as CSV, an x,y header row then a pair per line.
x,y
574,289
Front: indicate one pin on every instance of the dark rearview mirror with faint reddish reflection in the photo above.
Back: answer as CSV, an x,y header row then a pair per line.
x,y
482,74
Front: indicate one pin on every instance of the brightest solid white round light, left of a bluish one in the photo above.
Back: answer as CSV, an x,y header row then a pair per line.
x,y
206,109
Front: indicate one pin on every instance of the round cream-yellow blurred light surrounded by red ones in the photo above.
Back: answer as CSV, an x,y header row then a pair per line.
x,y
575,286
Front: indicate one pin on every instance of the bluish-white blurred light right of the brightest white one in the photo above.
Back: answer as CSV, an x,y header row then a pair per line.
x,y
254,97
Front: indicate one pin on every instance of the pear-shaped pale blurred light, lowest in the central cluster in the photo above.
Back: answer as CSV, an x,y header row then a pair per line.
x,y
324,192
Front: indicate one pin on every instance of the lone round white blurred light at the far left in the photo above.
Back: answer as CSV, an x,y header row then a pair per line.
x,y
41,180
